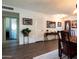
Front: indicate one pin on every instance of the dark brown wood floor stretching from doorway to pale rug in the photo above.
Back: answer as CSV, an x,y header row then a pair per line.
x,y
29,51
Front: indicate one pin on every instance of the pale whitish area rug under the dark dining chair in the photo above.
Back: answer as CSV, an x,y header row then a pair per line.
x,y
51,55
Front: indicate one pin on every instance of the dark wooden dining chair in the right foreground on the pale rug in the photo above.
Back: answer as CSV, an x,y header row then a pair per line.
x,y
65,46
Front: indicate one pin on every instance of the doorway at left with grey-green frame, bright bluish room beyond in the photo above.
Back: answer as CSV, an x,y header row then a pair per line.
x,y
10,29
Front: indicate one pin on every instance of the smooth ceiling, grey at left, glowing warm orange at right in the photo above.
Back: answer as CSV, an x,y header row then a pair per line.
x,y
44,6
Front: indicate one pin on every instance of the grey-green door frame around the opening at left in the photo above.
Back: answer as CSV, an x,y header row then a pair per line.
x,y
3,34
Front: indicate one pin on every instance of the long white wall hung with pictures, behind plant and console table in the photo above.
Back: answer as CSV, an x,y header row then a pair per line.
x,y
38,28
